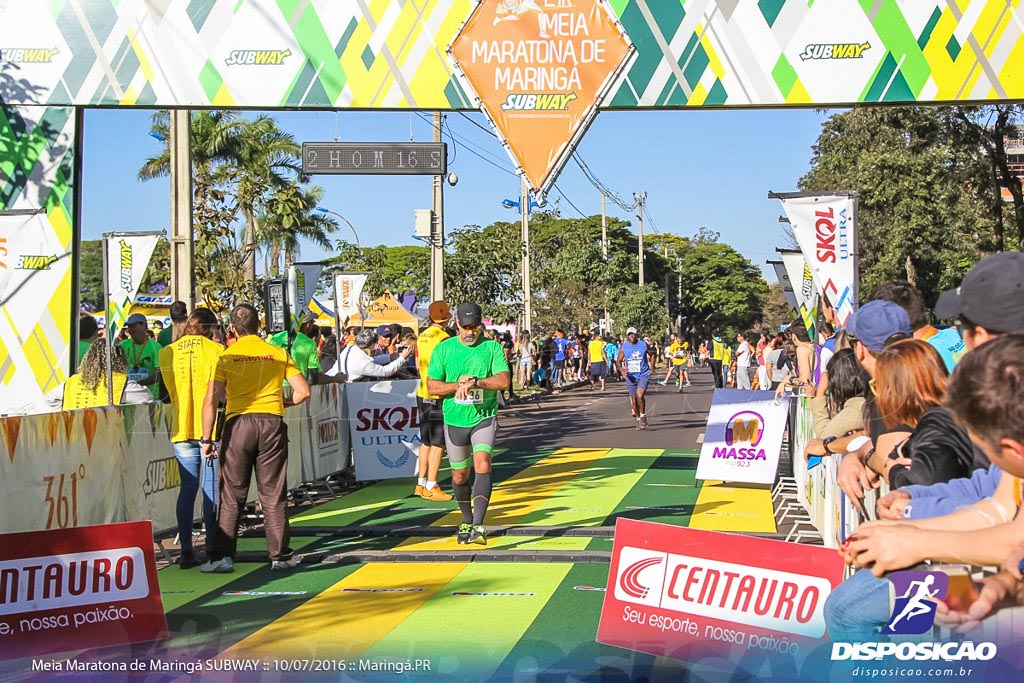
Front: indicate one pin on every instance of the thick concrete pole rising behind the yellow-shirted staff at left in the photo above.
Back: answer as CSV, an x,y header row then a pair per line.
x,y
183,247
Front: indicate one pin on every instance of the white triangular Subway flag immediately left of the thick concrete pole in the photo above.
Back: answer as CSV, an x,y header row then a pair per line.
x,y
127,257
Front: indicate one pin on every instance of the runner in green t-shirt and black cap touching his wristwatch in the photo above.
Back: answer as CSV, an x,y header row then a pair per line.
x,y
468,372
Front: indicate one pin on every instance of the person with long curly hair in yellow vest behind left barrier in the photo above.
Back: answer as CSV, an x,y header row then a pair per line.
x,y
88,389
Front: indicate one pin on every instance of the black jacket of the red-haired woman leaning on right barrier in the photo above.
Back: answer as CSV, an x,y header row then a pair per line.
x,y
941,451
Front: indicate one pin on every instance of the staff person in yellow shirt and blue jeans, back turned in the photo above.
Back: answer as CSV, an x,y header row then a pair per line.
x,y
187,368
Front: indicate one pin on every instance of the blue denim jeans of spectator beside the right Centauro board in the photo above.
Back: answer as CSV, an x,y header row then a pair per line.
x,y
859,610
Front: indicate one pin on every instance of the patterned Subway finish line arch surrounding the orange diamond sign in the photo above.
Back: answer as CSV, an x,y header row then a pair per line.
x,y
57,59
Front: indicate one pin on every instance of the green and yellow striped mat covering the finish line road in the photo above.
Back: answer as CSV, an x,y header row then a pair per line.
x,y
472,621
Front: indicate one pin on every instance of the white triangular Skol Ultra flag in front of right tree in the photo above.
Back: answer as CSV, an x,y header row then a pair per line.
x,y
825,228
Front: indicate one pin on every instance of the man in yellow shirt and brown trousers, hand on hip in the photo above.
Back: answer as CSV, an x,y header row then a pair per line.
x,y
250,374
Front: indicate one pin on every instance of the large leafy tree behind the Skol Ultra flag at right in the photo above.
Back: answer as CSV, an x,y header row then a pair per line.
x,y
920,218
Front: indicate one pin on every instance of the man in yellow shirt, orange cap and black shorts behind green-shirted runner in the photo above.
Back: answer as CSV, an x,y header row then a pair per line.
x,y
430,407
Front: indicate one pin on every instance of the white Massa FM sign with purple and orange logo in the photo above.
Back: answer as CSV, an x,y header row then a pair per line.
x,y
744,437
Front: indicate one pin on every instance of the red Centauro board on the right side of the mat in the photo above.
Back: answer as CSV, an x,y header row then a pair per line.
x,y
692,595
